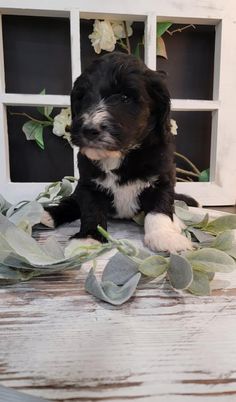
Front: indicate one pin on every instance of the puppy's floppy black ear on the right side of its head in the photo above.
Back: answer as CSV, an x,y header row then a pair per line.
x,y
159,97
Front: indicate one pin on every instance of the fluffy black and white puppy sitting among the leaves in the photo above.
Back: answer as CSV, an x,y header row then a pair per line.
x,y
120,122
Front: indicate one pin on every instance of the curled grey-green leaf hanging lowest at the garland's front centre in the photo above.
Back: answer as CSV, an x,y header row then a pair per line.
x,y
110,292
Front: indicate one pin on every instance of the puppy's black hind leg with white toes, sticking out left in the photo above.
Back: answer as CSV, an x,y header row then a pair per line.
x,y
67,211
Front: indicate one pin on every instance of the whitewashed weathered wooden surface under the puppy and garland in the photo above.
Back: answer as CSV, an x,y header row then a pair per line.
x,y
60,343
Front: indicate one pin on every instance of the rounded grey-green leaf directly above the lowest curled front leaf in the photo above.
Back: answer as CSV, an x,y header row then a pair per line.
x,y
119,269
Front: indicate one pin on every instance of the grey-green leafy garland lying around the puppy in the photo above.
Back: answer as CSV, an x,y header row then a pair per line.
x,y
23,258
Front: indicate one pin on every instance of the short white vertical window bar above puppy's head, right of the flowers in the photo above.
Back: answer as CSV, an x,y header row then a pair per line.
x,y
150,41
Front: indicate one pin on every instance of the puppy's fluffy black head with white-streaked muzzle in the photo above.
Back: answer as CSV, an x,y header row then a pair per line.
x,y
116,103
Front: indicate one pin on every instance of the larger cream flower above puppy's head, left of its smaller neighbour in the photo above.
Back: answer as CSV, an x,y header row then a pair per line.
x,y
102,37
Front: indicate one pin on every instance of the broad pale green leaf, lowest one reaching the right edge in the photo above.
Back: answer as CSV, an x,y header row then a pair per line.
x,y
210,260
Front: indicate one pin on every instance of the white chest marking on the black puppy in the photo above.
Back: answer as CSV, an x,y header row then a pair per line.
x,y
125,196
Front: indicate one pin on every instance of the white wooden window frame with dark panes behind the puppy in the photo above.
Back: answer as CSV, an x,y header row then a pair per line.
x,y
221,188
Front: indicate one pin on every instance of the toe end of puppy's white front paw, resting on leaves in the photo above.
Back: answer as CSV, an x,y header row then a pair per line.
x,y
164,240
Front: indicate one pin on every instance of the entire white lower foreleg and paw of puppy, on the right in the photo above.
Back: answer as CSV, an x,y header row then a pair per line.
x,y
163,234
